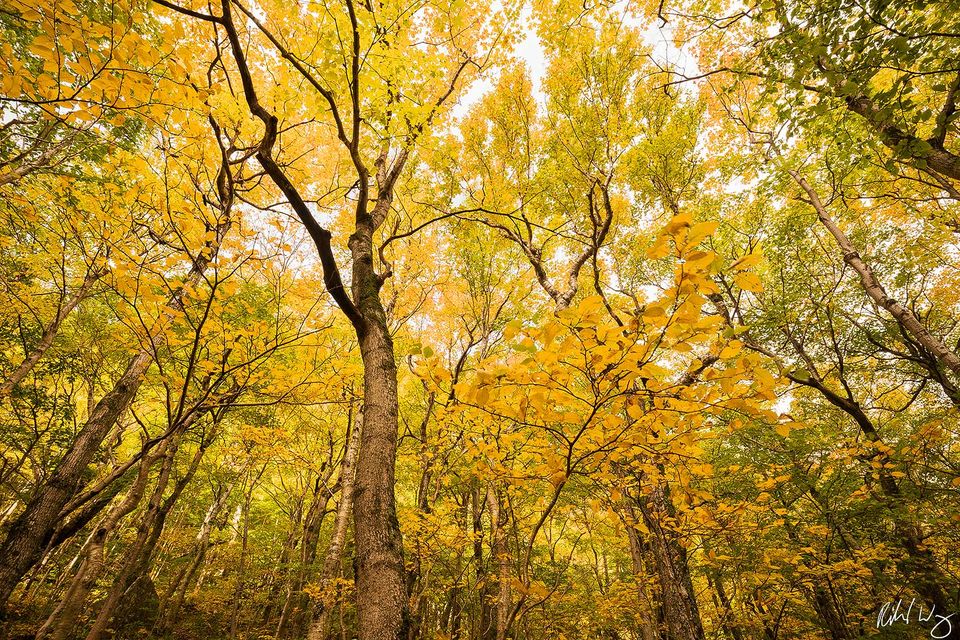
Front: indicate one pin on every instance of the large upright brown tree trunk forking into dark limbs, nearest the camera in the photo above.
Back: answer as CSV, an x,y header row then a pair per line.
x,y
381,593
